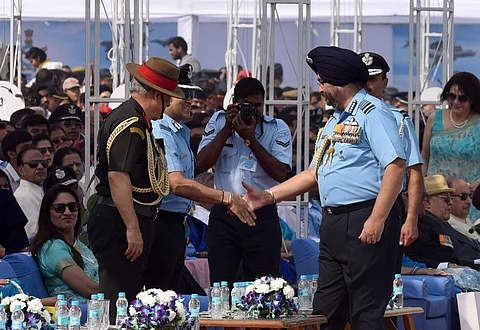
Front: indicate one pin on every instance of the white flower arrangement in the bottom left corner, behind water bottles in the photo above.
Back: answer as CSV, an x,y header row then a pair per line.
x,y
36,317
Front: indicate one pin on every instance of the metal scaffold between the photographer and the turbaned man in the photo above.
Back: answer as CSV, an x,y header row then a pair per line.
x,y
303,84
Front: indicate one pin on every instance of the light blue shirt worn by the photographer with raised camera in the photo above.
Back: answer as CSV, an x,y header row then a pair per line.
x,y
238,163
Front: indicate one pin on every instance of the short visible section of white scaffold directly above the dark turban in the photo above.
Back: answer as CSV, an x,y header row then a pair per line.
x,y
336,29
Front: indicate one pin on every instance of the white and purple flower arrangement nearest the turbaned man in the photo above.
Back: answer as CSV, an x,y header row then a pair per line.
x,y
268,297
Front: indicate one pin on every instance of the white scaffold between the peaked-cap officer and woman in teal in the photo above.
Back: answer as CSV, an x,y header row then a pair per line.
x,y
429,51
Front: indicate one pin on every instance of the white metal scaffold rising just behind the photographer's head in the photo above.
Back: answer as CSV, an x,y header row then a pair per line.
x,y
234,25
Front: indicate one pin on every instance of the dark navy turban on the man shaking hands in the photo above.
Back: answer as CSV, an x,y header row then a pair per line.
x,y
337,66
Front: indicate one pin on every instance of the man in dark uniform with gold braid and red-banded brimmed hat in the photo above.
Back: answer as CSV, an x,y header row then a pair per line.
x,y
133,179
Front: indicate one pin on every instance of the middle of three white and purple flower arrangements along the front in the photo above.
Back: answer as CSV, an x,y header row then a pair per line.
x,y
155,309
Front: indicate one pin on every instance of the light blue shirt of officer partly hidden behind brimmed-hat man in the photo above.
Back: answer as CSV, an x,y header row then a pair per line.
x,y
180,158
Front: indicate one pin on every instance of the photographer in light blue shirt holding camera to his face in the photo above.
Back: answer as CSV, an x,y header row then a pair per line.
x,y
244,145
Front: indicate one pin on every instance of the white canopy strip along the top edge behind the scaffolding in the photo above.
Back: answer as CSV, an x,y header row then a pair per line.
x,y
167,10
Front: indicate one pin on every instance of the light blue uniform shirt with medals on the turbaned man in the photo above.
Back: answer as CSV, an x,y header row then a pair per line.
x,y
356,170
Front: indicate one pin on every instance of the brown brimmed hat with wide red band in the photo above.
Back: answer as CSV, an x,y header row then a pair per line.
x,y
158,74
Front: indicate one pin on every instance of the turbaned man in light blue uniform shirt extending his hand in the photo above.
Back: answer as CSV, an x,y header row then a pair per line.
x,y
359,164
